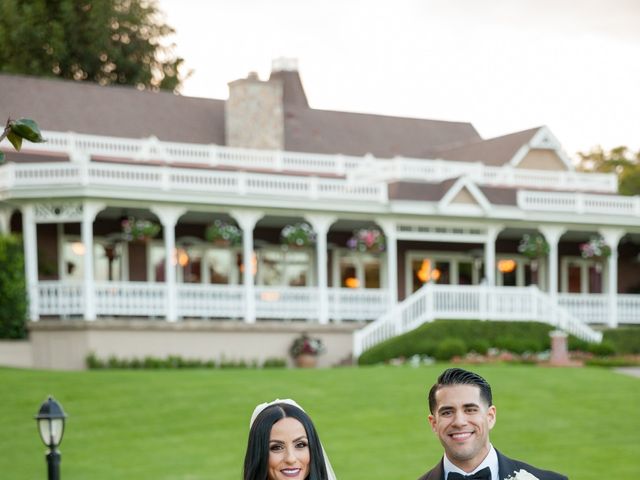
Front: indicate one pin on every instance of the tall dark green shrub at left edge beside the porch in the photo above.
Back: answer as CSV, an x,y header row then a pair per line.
x,y
13,290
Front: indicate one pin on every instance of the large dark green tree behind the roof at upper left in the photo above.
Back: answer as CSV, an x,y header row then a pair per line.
x,y
106,41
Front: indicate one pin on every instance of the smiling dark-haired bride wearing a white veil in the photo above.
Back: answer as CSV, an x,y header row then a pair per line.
x,y
284,445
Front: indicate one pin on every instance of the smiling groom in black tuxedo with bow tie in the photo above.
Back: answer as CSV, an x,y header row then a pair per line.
x,y
462,413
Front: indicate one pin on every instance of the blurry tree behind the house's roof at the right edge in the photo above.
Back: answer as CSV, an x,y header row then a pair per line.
x,y
620,160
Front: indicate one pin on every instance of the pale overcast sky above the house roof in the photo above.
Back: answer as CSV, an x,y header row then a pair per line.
x,y
503,65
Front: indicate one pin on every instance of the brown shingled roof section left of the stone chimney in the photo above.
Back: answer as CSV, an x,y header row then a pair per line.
x,y
84,107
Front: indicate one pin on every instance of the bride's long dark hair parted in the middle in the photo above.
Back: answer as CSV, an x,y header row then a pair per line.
x,y
256,459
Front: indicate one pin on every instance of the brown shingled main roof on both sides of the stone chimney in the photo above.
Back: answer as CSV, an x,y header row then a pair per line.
x,y
83,107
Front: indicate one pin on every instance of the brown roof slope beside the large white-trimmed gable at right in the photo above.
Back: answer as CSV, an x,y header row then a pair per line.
x,y
493,151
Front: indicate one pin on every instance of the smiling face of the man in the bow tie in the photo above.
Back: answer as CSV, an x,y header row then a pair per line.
x,y
462,421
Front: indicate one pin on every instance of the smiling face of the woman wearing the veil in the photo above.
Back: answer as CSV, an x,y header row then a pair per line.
x,y
288,451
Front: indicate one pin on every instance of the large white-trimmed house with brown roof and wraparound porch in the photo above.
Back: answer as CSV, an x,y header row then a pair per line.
x,y
148,214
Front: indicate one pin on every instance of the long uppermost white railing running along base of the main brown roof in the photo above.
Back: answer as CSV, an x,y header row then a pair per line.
x,y
81,147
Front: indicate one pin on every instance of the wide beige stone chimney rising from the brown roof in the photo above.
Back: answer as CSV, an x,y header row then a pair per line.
x,y
254,114
